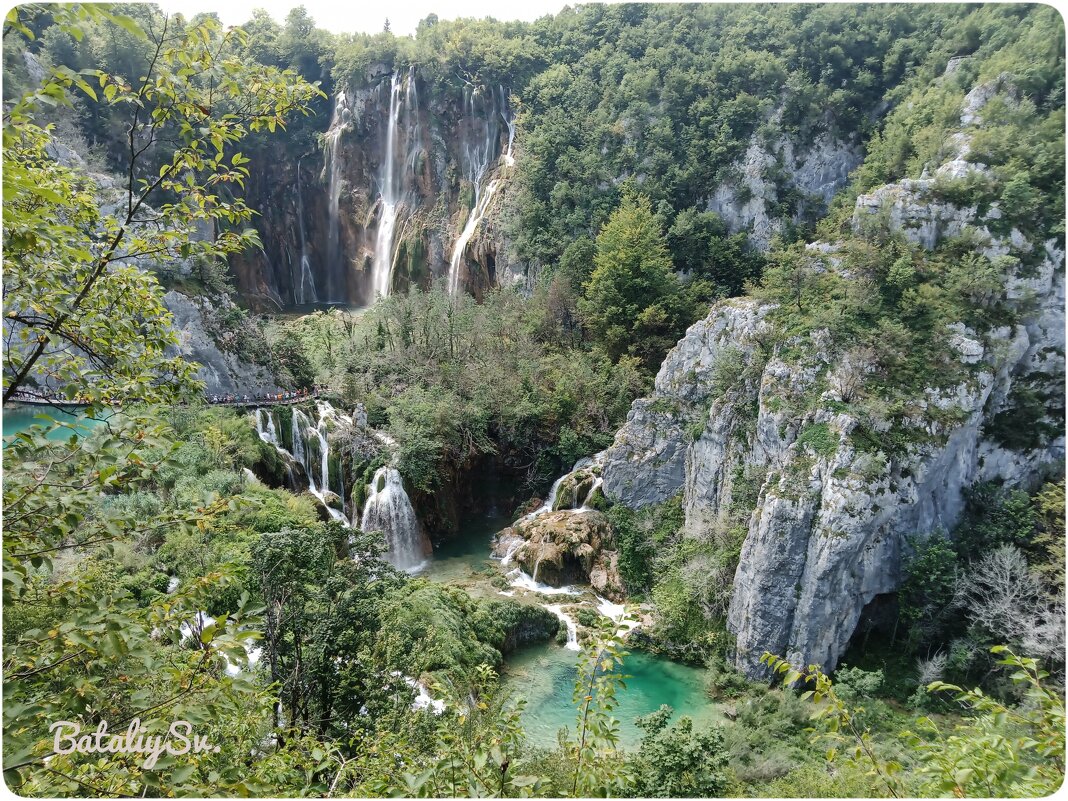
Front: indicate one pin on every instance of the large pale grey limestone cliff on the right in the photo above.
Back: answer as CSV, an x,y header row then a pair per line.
x,y
828,531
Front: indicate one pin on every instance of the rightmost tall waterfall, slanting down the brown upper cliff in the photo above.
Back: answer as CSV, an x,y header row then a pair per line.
x,y
477,155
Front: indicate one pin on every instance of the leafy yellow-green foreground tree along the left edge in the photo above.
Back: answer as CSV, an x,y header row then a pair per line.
x,y
85,322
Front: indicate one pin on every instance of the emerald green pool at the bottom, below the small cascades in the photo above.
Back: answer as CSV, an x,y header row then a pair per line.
x,y
545,677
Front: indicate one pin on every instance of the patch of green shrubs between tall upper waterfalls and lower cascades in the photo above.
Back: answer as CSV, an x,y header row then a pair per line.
x,y
456,381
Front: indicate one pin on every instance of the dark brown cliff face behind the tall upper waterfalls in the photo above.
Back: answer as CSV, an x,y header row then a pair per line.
x,y
405,189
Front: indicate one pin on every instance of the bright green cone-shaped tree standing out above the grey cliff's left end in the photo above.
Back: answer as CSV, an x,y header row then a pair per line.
x,y
631,294
